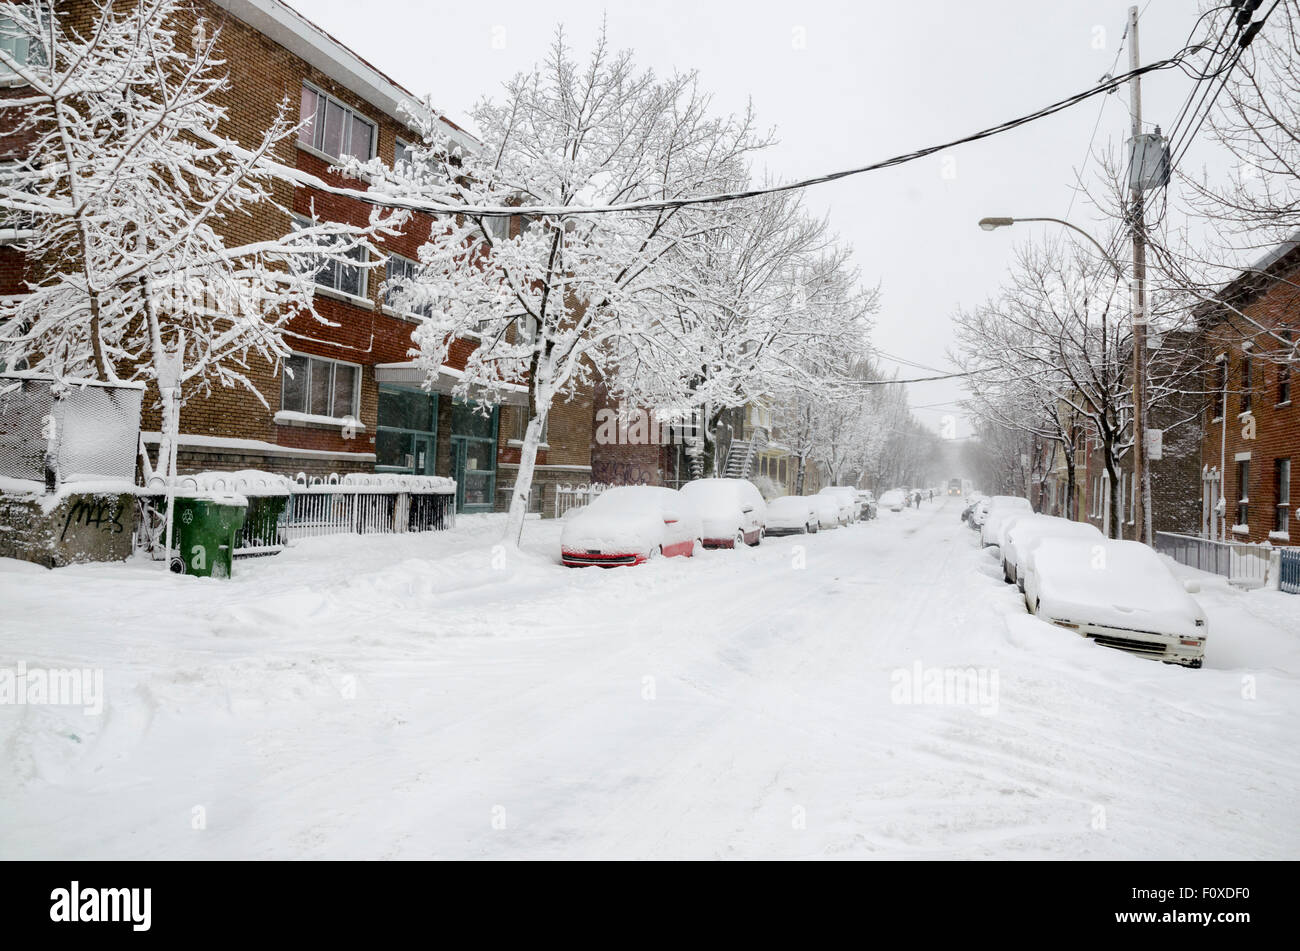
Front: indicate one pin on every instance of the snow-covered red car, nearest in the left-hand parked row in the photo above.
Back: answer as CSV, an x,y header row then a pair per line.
x,y
631,526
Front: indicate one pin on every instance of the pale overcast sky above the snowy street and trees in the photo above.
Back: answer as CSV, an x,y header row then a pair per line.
x,y
843,85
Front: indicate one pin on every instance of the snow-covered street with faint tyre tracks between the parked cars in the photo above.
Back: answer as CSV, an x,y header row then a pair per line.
x,y
437,696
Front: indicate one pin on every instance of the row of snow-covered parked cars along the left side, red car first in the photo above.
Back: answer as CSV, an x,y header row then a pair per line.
x,y
635,524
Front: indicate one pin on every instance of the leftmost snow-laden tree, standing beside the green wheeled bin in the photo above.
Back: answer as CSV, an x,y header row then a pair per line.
x,y
122,198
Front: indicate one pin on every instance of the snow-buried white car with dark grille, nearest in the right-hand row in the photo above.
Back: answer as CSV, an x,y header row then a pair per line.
x,y
1119,594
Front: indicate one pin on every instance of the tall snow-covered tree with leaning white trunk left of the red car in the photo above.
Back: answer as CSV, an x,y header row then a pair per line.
x,y
553,302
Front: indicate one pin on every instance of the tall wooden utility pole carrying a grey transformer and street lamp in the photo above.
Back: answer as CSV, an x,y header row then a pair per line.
x,y
1138,224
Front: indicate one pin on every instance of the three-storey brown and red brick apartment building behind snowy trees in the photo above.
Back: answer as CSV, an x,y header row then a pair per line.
x,y
354,401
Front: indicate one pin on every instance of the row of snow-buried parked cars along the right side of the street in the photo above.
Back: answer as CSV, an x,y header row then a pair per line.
x,y
1119,594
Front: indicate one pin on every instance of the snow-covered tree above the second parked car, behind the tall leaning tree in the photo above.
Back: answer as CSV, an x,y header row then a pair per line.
x,y
762,309
